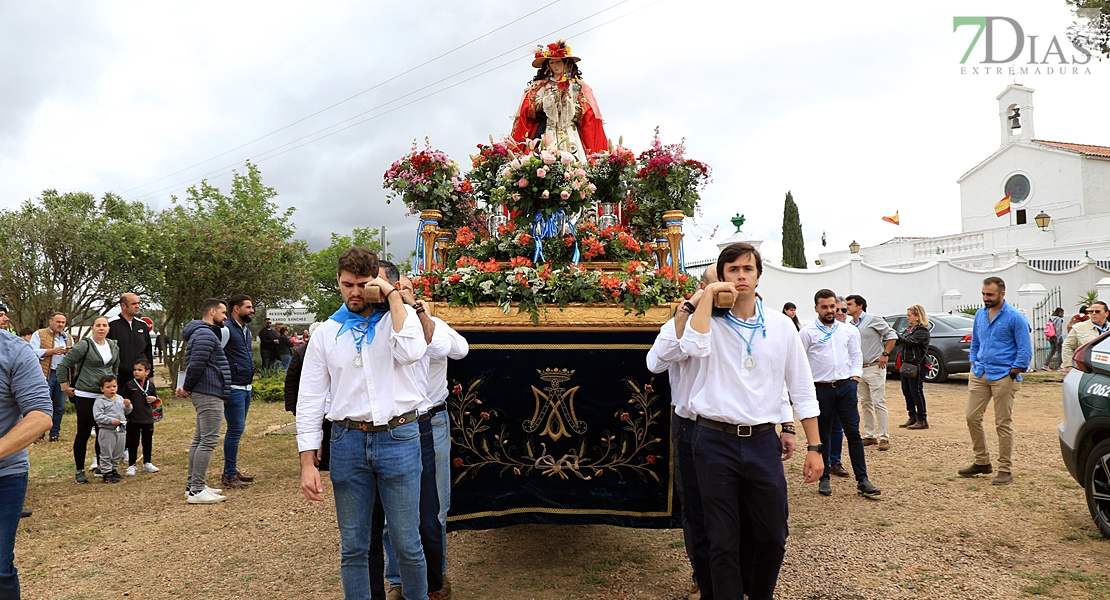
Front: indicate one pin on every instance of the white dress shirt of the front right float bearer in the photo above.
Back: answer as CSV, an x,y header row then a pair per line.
x,y
726,391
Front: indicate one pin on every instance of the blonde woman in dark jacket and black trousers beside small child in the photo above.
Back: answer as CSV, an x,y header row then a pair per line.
x,y
92,359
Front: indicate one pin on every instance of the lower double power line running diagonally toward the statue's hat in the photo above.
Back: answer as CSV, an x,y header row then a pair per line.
x,y
264,156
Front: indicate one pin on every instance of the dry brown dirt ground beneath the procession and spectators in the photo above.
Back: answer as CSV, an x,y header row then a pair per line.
x,y
932,535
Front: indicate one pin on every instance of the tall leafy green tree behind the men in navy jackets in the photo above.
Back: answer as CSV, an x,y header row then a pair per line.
x,y
217,246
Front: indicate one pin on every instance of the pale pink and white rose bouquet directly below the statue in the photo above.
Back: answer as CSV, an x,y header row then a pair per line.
x,y
543,181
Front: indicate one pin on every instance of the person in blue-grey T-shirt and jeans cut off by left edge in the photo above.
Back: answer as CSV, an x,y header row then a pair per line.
x,y
25,415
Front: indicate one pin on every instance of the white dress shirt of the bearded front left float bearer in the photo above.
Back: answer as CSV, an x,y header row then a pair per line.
x,y
386,387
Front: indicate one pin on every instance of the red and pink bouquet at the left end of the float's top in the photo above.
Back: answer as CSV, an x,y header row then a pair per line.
x,y
430,180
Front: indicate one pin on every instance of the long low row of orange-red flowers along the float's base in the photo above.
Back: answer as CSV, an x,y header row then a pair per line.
x,y
473,282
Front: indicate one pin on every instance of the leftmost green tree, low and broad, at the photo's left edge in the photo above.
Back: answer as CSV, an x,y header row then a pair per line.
x,y
76,255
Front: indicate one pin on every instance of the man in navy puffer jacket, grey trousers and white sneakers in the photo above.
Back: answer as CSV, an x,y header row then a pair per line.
x,y
208,387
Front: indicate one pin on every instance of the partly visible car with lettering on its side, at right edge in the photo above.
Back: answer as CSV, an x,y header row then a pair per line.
x,y
1085,434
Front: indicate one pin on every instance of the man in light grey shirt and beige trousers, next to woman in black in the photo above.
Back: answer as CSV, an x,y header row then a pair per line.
x,y
877,341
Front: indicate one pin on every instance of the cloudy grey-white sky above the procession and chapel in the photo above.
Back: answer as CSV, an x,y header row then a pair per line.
x,y
859,111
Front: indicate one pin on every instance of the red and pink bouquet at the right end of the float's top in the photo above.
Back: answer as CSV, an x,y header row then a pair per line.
x,y
665,180
